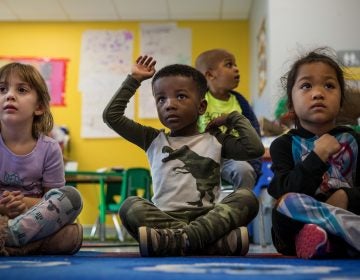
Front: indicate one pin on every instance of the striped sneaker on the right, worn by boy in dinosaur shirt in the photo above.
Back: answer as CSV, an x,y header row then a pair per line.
x,y
235,243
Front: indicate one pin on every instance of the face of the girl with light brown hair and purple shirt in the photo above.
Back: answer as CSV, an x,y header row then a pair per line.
x,y
18,101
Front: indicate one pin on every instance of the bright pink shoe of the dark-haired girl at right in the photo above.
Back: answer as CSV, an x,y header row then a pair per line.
x,y
312,242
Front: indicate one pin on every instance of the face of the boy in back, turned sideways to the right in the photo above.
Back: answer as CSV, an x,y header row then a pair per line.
x,y
225,76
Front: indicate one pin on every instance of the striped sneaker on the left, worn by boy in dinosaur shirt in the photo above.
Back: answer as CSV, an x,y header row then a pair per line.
x,y
161,242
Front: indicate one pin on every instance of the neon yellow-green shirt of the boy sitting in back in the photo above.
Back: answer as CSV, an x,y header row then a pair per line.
x,y
216,108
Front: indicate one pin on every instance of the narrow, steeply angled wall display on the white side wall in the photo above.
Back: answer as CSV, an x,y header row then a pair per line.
x,y
261,41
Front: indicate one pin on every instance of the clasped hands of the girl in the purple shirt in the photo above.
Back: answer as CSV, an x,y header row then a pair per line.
x,y
13,203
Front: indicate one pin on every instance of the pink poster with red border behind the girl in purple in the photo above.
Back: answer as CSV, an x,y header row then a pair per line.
x,y
53,72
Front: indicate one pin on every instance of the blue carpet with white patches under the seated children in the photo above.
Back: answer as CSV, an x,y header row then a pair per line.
x,y
96,265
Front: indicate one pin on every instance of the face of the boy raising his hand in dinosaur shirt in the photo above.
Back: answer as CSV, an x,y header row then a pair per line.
x,y
178,104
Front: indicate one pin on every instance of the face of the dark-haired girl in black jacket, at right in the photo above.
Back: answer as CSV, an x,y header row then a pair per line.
x,y
316,96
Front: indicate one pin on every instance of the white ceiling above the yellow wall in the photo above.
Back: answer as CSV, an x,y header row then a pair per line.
x,y
123,10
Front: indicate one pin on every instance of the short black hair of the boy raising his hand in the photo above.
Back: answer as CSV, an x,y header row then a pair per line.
x,y
184,71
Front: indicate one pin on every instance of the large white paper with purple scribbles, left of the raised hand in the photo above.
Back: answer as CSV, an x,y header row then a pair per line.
x,y
105,60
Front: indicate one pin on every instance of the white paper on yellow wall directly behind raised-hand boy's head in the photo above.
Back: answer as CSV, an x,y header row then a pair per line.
x,y
169,44
